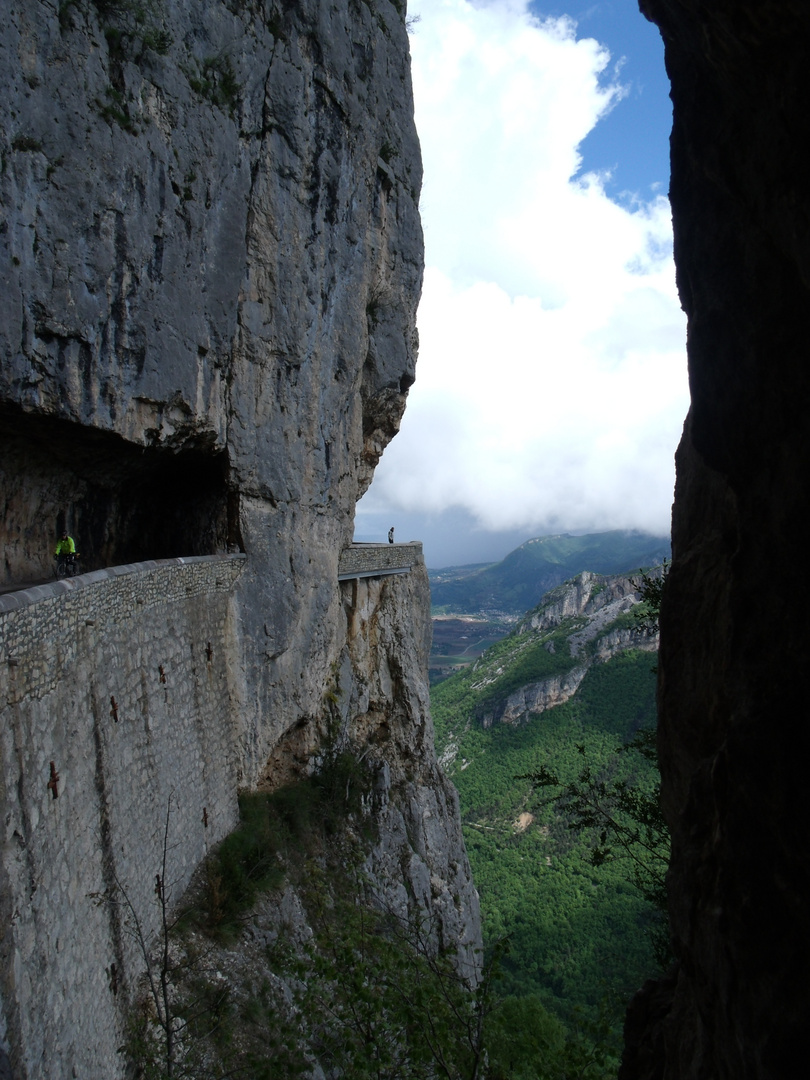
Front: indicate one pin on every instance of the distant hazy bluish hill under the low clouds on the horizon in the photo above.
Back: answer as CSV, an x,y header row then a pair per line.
x,y
519,583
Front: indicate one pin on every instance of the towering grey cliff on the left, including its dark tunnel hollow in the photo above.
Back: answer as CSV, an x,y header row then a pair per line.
x,y
212,259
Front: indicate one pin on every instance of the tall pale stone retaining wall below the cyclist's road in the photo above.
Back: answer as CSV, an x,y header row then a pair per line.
x,y
119,685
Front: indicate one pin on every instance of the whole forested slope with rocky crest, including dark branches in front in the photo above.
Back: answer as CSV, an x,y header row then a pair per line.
x,y
548,737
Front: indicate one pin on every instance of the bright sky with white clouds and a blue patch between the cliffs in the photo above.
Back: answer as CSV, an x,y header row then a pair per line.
x,y
551,385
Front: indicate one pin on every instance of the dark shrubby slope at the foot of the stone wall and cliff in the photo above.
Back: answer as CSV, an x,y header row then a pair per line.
x,y
364,991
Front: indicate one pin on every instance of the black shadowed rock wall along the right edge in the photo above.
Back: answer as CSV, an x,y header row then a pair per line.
x,y
734,738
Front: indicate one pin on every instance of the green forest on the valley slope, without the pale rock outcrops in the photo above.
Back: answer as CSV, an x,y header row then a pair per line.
x,y
580,937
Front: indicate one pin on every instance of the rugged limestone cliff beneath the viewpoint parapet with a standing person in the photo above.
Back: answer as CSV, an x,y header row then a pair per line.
x,y
421,859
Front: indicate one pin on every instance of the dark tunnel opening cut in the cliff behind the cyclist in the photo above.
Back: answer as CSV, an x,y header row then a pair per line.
x,y
121,503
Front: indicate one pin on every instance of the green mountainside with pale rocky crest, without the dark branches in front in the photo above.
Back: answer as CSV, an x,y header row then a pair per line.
x,y
576,671
